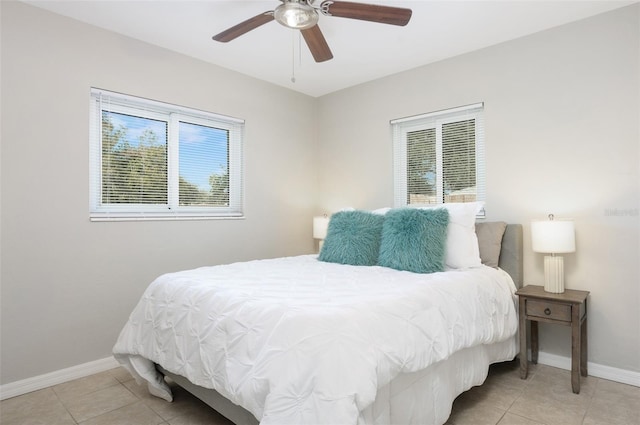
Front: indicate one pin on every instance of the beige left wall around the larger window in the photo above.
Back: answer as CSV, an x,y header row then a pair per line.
x,y
68,285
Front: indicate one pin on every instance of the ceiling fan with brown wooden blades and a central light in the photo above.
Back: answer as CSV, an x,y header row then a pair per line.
x,y
303,15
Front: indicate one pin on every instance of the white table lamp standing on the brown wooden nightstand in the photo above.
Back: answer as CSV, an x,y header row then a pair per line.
x,y
553,237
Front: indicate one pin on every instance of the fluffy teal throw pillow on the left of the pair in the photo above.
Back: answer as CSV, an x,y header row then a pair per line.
x,y
353,237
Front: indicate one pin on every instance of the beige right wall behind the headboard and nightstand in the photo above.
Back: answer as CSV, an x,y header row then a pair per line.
x,y
562,136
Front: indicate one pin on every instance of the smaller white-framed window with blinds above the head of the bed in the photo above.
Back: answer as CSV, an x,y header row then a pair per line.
x,y
439,157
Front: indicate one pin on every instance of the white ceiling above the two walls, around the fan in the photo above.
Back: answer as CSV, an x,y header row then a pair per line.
x,y
363,51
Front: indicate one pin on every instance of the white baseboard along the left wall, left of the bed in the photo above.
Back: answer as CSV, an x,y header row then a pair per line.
x,y
28,385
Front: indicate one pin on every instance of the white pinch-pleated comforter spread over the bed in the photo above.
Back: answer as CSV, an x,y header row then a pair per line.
x,y
299,341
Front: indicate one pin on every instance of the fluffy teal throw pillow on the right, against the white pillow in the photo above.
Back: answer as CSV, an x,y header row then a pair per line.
x,y
414,240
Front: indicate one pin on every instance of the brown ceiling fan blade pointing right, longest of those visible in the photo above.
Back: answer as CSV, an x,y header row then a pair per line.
x,y
367,12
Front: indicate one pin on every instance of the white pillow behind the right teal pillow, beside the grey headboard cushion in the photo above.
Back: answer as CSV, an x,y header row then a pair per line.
x,y
462,243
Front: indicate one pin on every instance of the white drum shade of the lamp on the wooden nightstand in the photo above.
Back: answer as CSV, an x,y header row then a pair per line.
x,y
553,236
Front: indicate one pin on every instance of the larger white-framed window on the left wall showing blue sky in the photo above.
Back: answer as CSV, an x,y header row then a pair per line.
x,y
152,160
